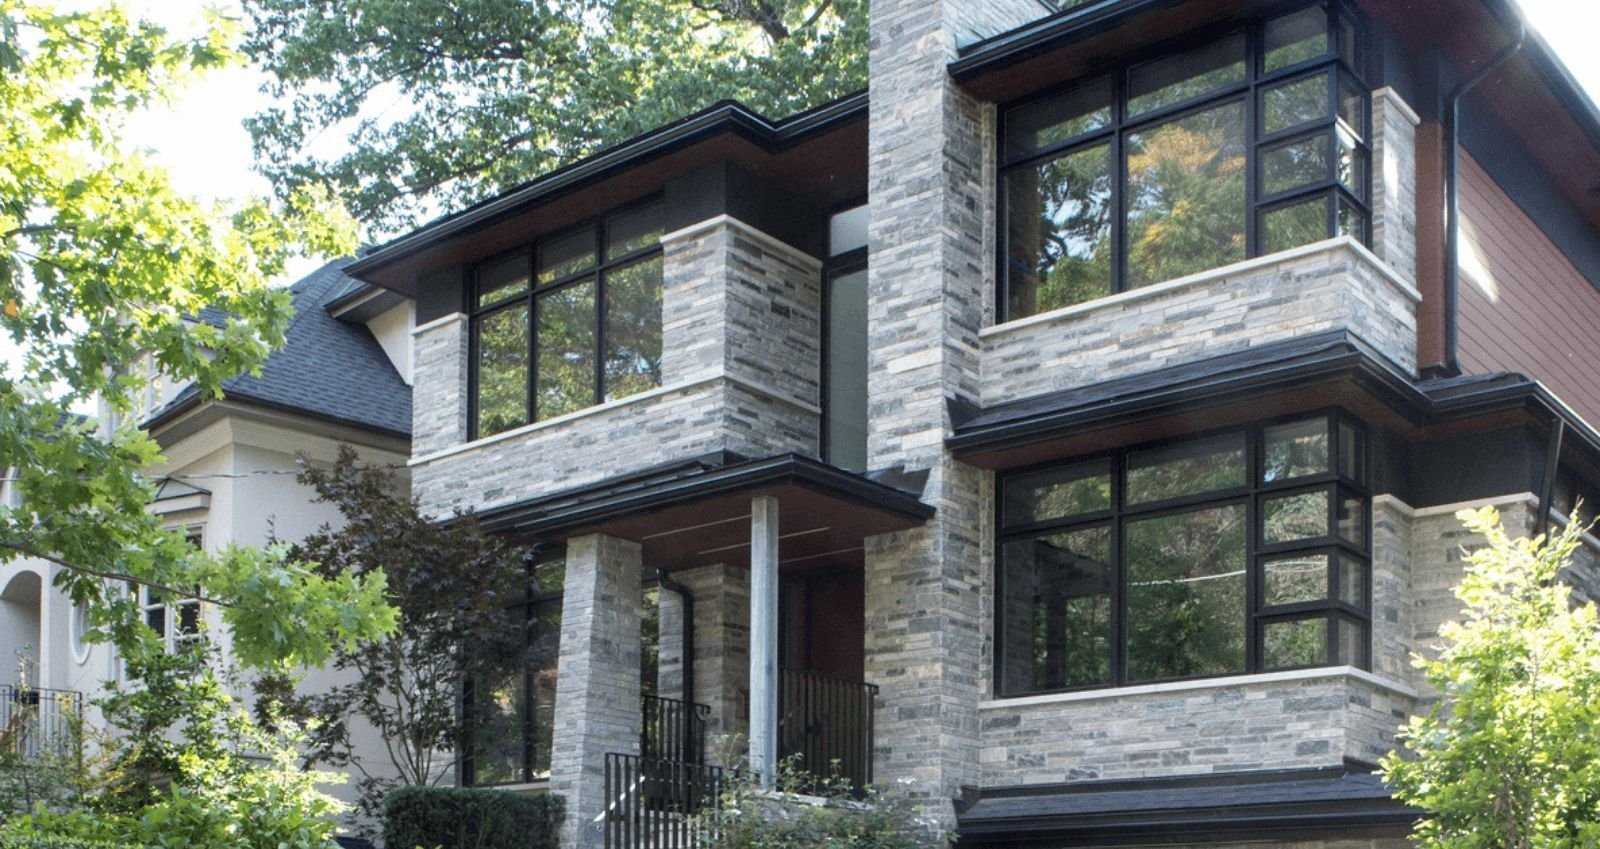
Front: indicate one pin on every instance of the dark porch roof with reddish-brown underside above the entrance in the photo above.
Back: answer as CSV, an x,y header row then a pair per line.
x,y
697,512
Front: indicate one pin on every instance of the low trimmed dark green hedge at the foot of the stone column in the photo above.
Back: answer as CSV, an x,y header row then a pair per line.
x,y
463,818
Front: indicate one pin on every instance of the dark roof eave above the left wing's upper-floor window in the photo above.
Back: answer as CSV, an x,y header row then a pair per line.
x,y
724,132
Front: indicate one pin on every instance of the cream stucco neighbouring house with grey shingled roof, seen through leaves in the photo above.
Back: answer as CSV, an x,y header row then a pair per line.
x,y
343,378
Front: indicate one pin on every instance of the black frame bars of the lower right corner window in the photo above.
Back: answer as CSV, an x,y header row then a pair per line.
x,y
1257,615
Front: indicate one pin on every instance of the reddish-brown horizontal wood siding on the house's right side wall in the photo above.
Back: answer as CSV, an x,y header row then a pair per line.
x,y
1535,314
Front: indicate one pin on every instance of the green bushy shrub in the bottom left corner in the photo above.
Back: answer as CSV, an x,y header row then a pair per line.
x,y
188,768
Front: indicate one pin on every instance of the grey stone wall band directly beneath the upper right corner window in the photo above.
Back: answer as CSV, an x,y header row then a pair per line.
x,y
1282,297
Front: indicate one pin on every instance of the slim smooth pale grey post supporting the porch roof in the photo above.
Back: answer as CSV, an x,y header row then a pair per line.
x,y
764,637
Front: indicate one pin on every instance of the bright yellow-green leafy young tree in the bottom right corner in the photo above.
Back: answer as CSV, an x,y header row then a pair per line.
x,y
1510,759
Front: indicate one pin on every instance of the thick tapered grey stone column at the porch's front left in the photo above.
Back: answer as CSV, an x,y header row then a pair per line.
x,y
598,684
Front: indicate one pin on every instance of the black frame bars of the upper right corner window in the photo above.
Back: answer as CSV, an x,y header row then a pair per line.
x,y
1257,81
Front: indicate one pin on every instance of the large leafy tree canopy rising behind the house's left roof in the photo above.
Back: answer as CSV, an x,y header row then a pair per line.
x,y
498,92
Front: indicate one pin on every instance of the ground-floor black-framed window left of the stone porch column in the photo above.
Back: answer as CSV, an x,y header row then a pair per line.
x,y
511,717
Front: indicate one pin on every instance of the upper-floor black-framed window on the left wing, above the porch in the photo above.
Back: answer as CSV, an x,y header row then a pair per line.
x,y
570,322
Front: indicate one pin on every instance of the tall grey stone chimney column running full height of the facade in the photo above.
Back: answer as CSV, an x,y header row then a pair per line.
x,y
930,196
